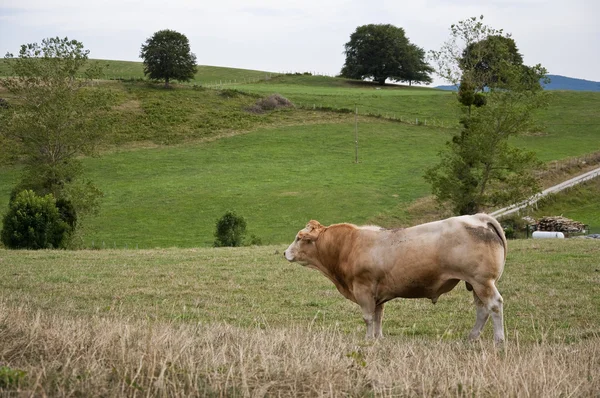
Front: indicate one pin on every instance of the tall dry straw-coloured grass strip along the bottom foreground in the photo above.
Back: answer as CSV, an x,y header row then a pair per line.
x,y
114,357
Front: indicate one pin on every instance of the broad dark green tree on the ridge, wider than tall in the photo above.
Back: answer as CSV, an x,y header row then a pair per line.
x,y
382,52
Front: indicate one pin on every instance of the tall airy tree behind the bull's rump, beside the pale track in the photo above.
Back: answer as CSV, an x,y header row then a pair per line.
x,y
479,168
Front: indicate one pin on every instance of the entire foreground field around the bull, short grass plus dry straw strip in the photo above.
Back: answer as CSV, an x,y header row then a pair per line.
x,y
243,321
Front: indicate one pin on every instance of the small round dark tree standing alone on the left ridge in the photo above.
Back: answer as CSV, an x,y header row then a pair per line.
x,y
167,57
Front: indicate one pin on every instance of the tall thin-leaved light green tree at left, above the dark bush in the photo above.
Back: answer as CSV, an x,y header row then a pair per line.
x,y
55,115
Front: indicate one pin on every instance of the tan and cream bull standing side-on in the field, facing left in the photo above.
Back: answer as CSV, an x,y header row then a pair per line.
x,y
370,265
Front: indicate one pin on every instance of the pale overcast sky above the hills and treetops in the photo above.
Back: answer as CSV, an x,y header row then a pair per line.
x,y
308,35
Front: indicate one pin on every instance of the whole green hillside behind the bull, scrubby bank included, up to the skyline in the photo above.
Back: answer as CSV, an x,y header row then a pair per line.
x,y
177,159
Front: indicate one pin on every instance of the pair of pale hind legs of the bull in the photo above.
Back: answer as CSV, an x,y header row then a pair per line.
x,y
492,303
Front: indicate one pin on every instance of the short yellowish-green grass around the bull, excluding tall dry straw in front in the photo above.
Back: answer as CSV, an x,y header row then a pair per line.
x,y
550,290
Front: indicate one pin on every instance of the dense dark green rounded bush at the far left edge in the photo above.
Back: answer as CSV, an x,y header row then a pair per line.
x,y
33,222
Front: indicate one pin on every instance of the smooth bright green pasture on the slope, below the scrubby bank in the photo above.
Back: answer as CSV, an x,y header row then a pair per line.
x,y
277,178
